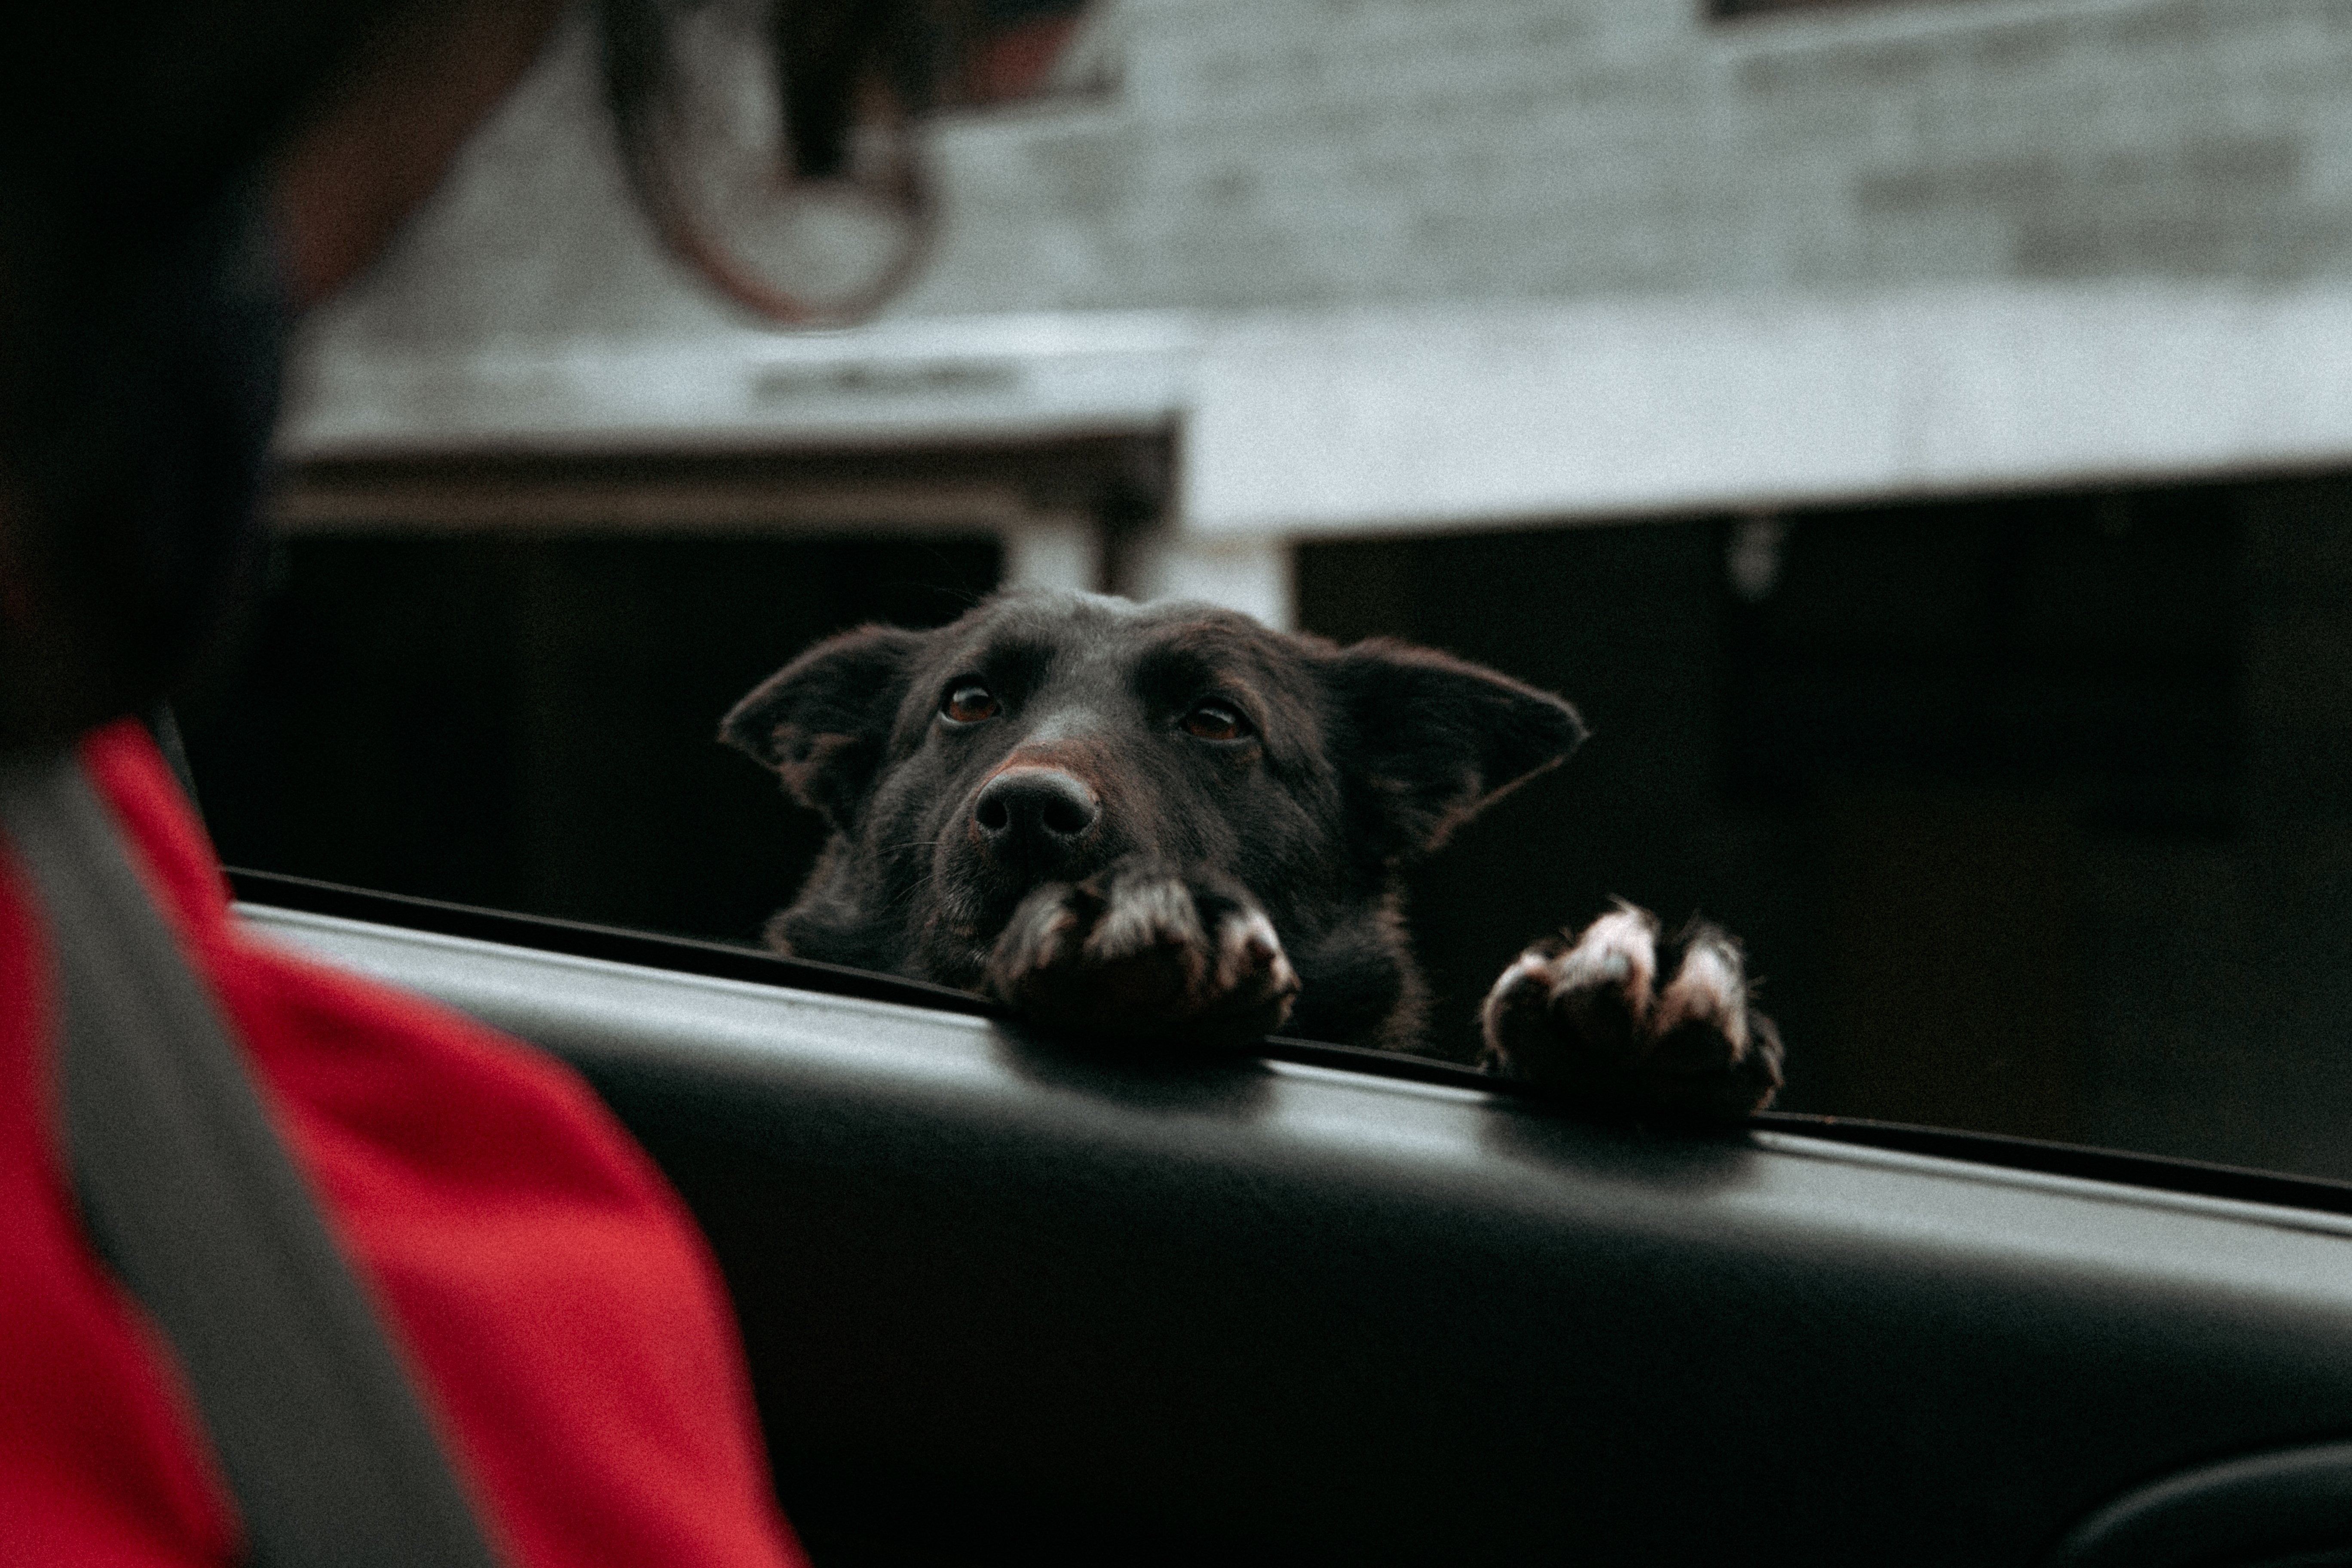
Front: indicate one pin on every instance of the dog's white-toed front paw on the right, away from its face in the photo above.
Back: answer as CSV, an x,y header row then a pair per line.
x,y
1591,1017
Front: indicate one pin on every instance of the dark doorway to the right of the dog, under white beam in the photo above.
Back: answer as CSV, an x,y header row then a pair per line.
x,y
2031,810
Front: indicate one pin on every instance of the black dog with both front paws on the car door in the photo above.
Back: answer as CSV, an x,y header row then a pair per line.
x,y
1175,824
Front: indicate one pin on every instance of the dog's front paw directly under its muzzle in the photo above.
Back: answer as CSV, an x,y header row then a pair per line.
x,y
1144,953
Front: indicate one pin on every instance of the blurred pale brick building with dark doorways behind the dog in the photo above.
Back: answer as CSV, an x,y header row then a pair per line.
x,y
1918,434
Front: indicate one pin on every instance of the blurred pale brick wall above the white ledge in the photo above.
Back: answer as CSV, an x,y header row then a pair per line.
x,y
1299,154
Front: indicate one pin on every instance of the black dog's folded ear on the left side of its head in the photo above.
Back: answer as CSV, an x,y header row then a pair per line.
x,y
824,721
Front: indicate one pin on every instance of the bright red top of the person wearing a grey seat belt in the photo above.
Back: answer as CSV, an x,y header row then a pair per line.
x,y
563,1315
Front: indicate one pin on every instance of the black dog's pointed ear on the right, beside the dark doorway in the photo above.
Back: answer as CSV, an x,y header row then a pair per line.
x,y
1431,742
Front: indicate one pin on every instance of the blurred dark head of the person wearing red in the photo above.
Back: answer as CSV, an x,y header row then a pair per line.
x,y
178,182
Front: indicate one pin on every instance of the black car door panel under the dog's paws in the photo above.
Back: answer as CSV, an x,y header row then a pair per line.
x,y
1010,1301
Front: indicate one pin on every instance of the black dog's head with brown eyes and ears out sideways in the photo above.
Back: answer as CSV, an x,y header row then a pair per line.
x,y
1045,737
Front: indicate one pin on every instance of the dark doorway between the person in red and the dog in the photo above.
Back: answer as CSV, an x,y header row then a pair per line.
x,y
530,723
